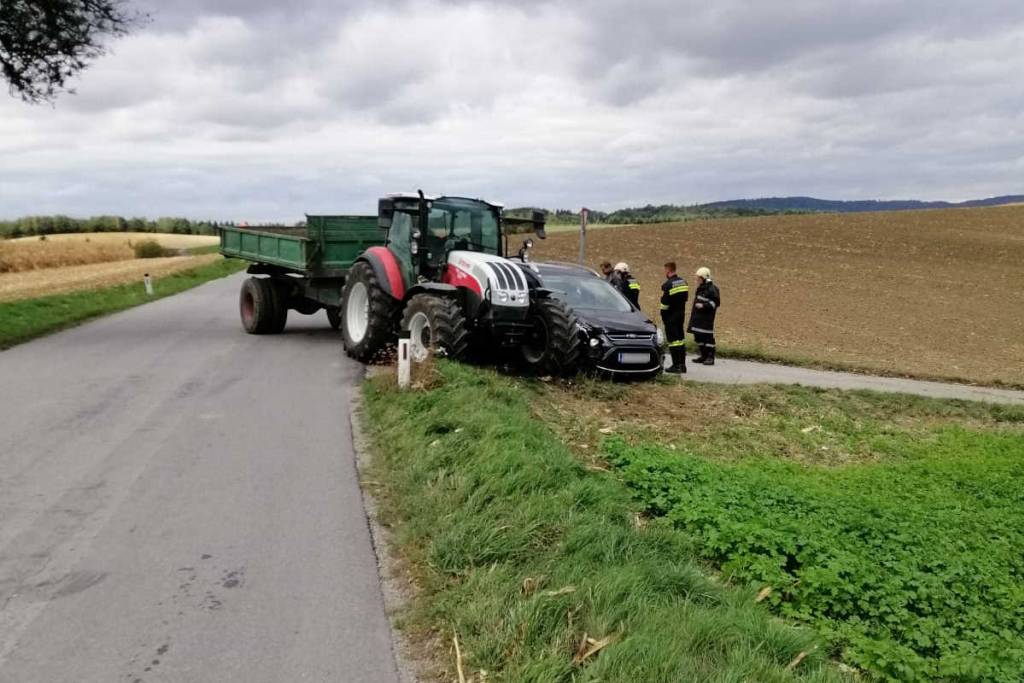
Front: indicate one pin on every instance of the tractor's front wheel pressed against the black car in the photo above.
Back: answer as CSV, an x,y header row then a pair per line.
x,y
552,346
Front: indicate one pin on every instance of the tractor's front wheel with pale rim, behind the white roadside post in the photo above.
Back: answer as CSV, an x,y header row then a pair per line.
x,y
436,323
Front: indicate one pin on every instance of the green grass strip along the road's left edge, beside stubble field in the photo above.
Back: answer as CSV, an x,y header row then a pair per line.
x,y
28,319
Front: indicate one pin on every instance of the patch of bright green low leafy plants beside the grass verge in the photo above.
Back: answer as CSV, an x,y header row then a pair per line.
x,y
912,568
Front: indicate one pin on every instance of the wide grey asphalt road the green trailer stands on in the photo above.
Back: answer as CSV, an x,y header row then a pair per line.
x,y
179,502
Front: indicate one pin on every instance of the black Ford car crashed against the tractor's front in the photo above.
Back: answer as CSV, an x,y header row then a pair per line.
x,y
618,338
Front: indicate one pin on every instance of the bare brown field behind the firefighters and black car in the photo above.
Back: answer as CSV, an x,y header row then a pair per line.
x,y
935,294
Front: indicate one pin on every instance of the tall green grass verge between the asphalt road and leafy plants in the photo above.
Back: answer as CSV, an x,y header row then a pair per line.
x,y
524,552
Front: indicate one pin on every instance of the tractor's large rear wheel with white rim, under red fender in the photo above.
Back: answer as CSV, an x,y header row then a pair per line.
x,y
367,314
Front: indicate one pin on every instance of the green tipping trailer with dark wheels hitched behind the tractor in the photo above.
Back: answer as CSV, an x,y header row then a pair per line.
x,y
307,267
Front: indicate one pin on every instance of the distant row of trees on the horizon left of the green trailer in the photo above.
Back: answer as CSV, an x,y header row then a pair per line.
x,y
30,226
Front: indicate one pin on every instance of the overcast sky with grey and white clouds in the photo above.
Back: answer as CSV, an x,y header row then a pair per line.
x,y
263,110
